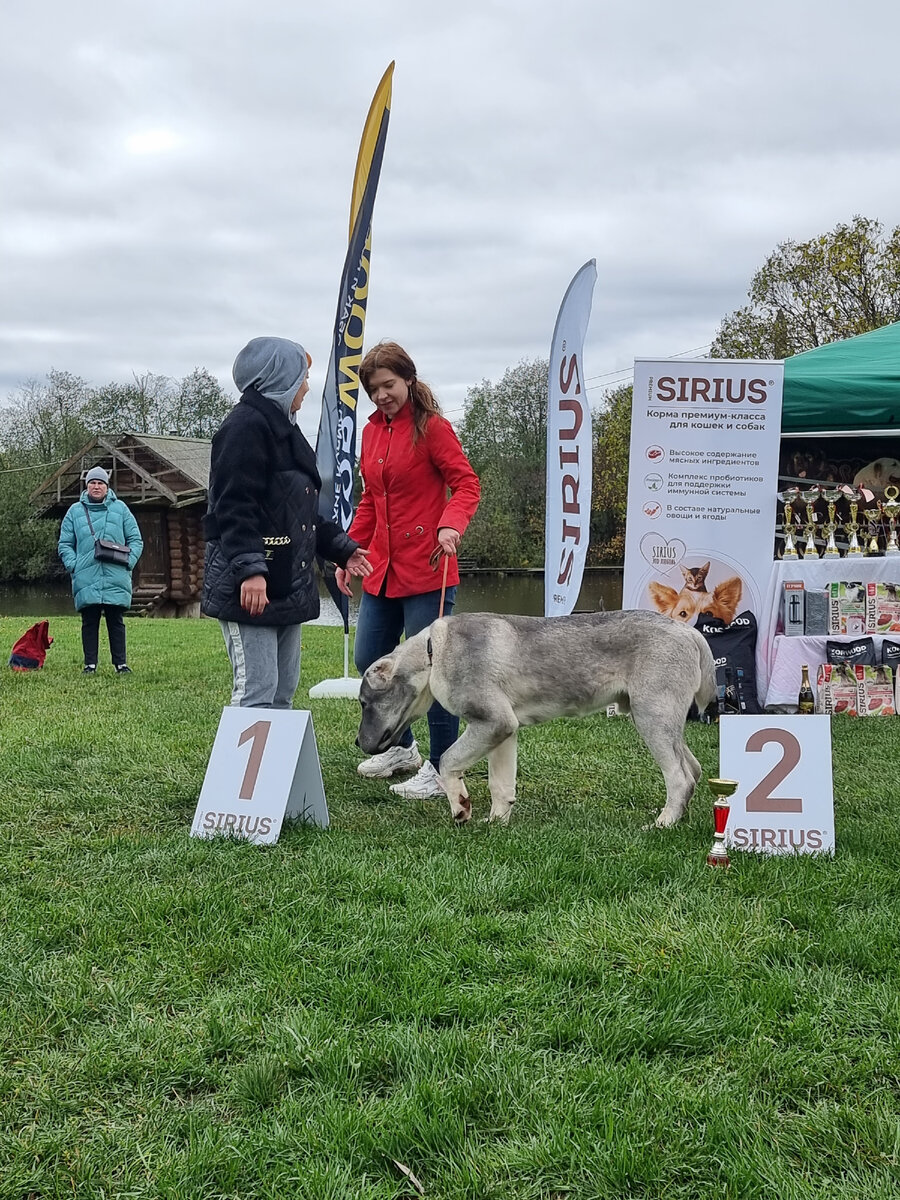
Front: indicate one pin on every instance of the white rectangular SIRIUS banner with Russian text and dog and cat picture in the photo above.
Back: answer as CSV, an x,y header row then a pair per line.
x,y
701,488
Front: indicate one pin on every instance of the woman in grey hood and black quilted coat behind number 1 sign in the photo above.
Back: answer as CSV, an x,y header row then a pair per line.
x,y
262,527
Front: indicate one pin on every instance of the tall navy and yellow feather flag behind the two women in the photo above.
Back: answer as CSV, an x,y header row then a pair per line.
x,y
337,442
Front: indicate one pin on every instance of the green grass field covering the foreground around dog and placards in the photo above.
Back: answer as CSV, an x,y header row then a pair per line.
x,y
571,1007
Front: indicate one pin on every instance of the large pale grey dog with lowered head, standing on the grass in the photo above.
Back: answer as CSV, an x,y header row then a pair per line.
x,y
502,673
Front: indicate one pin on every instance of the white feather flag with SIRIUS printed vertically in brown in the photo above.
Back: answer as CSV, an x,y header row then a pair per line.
x,y
569,451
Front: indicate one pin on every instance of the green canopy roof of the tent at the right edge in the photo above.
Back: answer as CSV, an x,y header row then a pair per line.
x,y
853,386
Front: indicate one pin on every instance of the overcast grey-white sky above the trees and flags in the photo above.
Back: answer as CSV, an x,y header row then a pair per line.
x,y
177,176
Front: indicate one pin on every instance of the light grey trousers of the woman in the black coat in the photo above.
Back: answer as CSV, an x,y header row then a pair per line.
x,y
266,661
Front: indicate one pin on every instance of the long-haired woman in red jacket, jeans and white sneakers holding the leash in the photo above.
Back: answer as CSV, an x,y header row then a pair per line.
x,y
411,459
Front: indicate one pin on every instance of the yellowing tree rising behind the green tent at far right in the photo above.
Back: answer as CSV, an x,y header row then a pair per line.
x,y
835,286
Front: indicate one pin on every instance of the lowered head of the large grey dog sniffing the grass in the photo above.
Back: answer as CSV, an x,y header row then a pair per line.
x,y
394,694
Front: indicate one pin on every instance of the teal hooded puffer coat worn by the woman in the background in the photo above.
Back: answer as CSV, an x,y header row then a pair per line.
x,y
95,583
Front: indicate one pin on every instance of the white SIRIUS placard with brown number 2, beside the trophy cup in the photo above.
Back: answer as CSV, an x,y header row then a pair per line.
x,y
785,800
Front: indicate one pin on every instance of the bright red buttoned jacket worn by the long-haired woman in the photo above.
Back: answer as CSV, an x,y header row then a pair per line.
x,y
405,502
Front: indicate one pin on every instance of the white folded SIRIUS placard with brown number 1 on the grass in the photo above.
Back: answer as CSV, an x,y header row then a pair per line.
x,y
265,767
